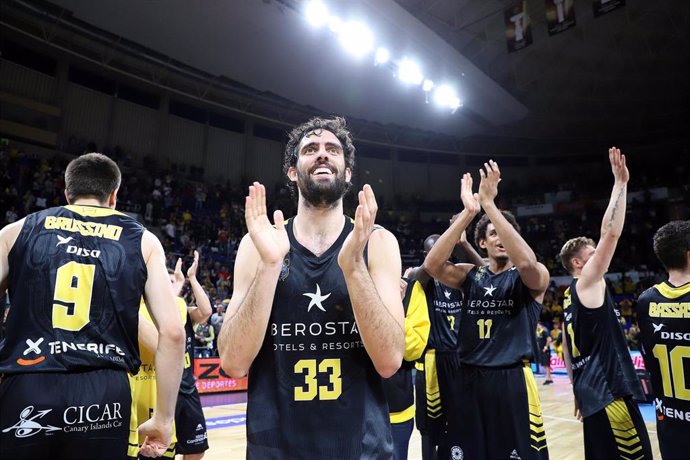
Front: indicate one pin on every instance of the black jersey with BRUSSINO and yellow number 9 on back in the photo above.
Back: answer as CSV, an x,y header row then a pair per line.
x,y
76,277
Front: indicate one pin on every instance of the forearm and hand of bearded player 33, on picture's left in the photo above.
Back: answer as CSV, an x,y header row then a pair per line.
x,y
257,268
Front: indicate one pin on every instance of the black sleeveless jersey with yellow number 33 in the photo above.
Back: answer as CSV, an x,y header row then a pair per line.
x,y
313,390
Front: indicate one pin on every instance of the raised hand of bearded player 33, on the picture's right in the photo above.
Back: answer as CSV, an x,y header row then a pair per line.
x,y
352,252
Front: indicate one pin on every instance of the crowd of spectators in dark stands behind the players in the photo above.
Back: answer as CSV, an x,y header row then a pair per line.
x,y
188,213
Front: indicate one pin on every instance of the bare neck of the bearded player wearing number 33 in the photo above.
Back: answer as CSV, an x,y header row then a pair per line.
x,y
317,229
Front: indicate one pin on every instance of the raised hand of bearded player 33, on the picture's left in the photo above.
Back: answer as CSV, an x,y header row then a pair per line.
x,y
270,241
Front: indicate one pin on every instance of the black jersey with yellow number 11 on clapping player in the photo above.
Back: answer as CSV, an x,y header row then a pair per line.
x,y
498,319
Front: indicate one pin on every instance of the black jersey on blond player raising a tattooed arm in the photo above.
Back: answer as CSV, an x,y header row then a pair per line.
x,y
602,368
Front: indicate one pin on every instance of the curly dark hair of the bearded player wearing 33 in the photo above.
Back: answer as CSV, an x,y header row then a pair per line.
x,y
336,125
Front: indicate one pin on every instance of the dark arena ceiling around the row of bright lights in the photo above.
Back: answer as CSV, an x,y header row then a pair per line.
x,y
622,75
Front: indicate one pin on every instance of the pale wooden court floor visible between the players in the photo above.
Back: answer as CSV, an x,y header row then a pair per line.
x,y
563,431
